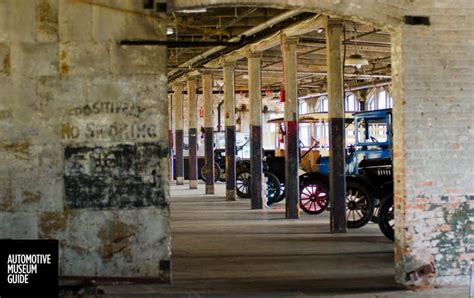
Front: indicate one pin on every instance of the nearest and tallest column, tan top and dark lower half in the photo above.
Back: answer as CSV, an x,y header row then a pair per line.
x,y
337,182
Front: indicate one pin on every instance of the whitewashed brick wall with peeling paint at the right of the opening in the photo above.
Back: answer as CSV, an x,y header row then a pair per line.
x,y
434,137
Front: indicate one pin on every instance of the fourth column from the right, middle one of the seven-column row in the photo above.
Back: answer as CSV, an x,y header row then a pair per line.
x,y
229,112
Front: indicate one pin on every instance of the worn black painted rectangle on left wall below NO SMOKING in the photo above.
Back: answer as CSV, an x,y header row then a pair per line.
x,y
122,176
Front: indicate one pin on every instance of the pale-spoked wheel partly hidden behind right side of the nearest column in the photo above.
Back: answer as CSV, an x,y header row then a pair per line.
x,y
359,205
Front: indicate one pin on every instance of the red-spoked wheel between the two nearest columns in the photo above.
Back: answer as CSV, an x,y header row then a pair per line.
x,y
314,197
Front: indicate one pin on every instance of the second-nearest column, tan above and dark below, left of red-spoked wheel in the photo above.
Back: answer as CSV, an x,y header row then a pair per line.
x,y
291,123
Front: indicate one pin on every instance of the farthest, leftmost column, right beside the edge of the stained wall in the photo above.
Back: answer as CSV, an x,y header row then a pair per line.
x,y
178,118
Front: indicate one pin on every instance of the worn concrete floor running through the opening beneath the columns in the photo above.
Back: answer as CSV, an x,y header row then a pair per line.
x,y
223,248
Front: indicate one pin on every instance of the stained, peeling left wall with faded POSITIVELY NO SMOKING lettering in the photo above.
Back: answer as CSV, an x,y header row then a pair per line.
x,y
83,134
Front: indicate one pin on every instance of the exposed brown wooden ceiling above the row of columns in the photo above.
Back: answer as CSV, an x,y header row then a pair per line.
x,y
223,24
